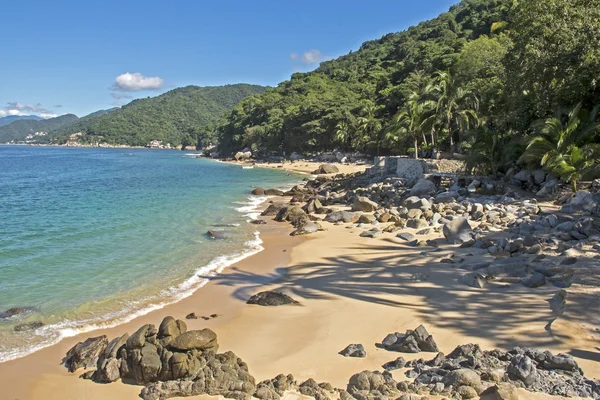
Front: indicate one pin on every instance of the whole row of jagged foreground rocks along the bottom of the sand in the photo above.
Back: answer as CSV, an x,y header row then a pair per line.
x,y
175,362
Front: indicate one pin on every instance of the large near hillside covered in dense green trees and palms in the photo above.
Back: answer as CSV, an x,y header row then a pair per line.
x,y
500,64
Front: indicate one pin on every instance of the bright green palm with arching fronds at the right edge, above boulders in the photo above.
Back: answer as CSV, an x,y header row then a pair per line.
x,y
567,150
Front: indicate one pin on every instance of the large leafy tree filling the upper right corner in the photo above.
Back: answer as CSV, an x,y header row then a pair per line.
x,y
555,60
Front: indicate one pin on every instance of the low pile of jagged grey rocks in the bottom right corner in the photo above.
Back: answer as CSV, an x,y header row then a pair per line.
x,y
468,372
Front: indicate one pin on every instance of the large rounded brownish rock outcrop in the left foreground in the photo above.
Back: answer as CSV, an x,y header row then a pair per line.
x,y
170,361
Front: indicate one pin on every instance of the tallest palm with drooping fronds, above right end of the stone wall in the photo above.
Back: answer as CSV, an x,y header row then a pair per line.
x,y
458,105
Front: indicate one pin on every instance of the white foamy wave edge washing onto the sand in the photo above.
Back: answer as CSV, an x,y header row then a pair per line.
x,y
54,333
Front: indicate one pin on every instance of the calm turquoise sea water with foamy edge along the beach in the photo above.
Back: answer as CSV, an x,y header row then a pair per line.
x,y
94,237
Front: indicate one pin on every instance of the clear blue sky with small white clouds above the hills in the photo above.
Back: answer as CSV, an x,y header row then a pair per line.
x,y
77,57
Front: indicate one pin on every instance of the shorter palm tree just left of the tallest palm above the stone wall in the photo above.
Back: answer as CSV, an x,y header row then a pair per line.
x,y
410,120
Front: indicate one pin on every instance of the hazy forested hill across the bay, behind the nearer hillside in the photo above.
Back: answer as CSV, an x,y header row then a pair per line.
x,y
175,117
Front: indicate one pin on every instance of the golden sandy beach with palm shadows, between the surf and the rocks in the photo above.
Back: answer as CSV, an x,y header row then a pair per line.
x,y
351,290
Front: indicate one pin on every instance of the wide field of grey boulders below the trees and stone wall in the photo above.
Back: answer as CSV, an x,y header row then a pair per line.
x,y
519,241
